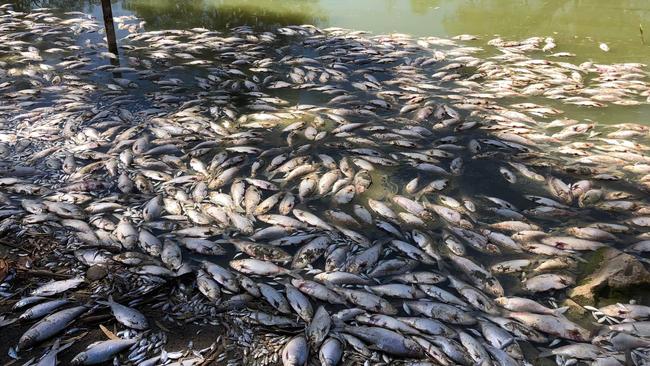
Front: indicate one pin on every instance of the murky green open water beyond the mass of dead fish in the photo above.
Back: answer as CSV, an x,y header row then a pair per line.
x,y
577,26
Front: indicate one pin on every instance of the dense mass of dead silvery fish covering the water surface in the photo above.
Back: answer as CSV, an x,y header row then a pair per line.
x,y
339,198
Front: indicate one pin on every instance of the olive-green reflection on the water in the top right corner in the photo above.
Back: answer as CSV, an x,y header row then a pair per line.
x,y
577,26
